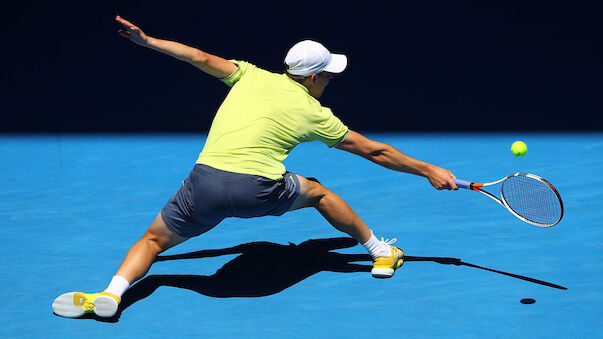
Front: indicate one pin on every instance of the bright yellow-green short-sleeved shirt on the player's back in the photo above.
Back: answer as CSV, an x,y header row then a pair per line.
x,y
264,116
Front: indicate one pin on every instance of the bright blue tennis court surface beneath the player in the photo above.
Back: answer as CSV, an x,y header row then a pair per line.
x,y
71,206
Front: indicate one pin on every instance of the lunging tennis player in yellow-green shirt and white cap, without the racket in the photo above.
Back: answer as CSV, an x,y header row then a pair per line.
x,y
239,172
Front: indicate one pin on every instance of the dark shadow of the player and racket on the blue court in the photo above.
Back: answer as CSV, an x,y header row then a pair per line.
x,y
265,268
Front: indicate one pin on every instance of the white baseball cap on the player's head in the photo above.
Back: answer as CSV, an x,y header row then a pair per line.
x,y
308,57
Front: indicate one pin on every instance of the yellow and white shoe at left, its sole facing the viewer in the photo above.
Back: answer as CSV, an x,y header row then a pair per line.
x,y
76,304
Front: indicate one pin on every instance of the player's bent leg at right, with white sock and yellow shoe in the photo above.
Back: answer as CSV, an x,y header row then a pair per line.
x,y
386,258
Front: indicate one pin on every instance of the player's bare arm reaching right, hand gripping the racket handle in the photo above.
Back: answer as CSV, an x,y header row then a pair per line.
x,y
391,158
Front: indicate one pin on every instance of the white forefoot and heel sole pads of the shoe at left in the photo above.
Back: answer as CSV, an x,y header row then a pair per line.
x,y
64,306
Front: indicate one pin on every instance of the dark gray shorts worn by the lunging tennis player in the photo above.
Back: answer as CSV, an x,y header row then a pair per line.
x,y
209,195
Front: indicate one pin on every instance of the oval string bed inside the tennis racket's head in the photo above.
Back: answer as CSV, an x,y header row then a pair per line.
x,y
532,199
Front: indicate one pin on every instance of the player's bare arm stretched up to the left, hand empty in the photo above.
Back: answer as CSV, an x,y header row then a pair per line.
x,y
208,63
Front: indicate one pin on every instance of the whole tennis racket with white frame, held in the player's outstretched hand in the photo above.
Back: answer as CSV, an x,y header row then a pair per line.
x,y
527,196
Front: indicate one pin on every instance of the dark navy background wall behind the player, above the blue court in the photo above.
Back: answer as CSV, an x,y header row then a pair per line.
x,y
413,65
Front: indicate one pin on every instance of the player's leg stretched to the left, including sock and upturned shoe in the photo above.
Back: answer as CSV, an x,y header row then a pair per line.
x,y
136,264
